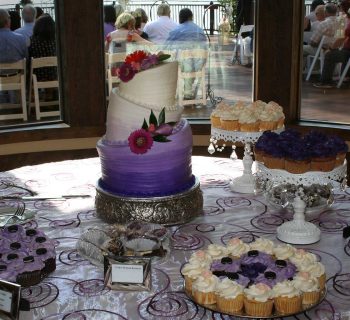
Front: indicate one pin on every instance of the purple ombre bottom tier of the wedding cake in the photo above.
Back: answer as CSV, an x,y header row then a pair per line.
x,y
163,170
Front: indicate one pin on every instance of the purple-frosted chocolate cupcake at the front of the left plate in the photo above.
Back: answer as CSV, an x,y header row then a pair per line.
x,y
31,272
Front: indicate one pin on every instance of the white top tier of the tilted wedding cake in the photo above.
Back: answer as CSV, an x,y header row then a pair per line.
x,y
154,88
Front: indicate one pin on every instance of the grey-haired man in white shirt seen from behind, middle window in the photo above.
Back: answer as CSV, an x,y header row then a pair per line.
x,y
158,31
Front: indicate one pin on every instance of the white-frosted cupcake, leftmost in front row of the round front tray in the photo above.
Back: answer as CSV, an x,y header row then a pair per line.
x,y
203,288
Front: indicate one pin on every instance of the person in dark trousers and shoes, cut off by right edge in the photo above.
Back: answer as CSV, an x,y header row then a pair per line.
x,y
335,56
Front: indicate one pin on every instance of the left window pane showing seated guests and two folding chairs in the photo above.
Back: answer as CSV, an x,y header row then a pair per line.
x,y
29,83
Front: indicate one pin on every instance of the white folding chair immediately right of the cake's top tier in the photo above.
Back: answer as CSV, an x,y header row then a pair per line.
x,y
190,54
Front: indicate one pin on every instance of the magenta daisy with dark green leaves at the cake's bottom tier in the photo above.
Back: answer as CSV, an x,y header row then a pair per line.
x,y
157,130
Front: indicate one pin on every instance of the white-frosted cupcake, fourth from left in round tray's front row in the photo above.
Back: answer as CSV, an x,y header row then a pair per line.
x,y
287,298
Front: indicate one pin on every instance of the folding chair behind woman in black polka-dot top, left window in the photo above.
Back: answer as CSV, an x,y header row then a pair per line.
x,y
37,63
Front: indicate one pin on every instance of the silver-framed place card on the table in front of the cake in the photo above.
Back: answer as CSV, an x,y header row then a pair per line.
x,y
127,273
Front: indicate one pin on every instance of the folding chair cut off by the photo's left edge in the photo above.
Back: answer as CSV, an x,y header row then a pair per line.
x,y
16,82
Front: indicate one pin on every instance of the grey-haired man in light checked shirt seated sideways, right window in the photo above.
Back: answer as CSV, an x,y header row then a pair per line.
x,y
326,28
